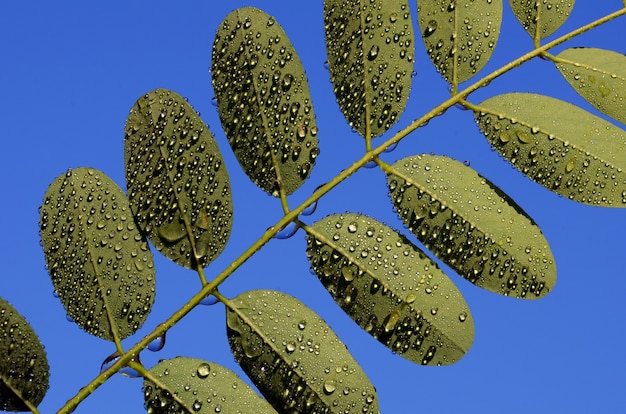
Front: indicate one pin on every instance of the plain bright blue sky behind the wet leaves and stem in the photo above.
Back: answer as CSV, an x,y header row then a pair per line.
x,y
70,73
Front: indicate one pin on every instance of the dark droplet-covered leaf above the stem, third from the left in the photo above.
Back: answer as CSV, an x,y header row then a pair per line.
x,y
177,183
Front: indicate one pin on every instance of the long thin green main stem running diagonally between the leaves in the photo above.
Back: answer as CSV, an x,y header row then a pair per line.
x,y
319,193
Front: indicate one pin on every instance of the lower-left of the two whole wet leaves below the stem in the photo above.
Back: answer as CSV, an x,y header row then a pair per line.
x,y
391,289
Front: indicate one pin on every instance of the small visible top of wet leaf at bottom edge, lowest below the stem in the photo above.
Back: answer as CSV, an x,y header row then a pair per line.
x,y
192,385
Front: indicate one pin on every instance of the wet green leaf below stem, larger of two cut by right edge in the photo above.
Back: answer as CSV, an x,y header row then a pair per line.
x,y
558,145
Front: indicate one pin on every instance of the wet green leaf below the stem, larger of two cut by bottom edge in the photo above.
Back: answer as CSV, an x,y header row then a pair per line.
x,y
294,358
